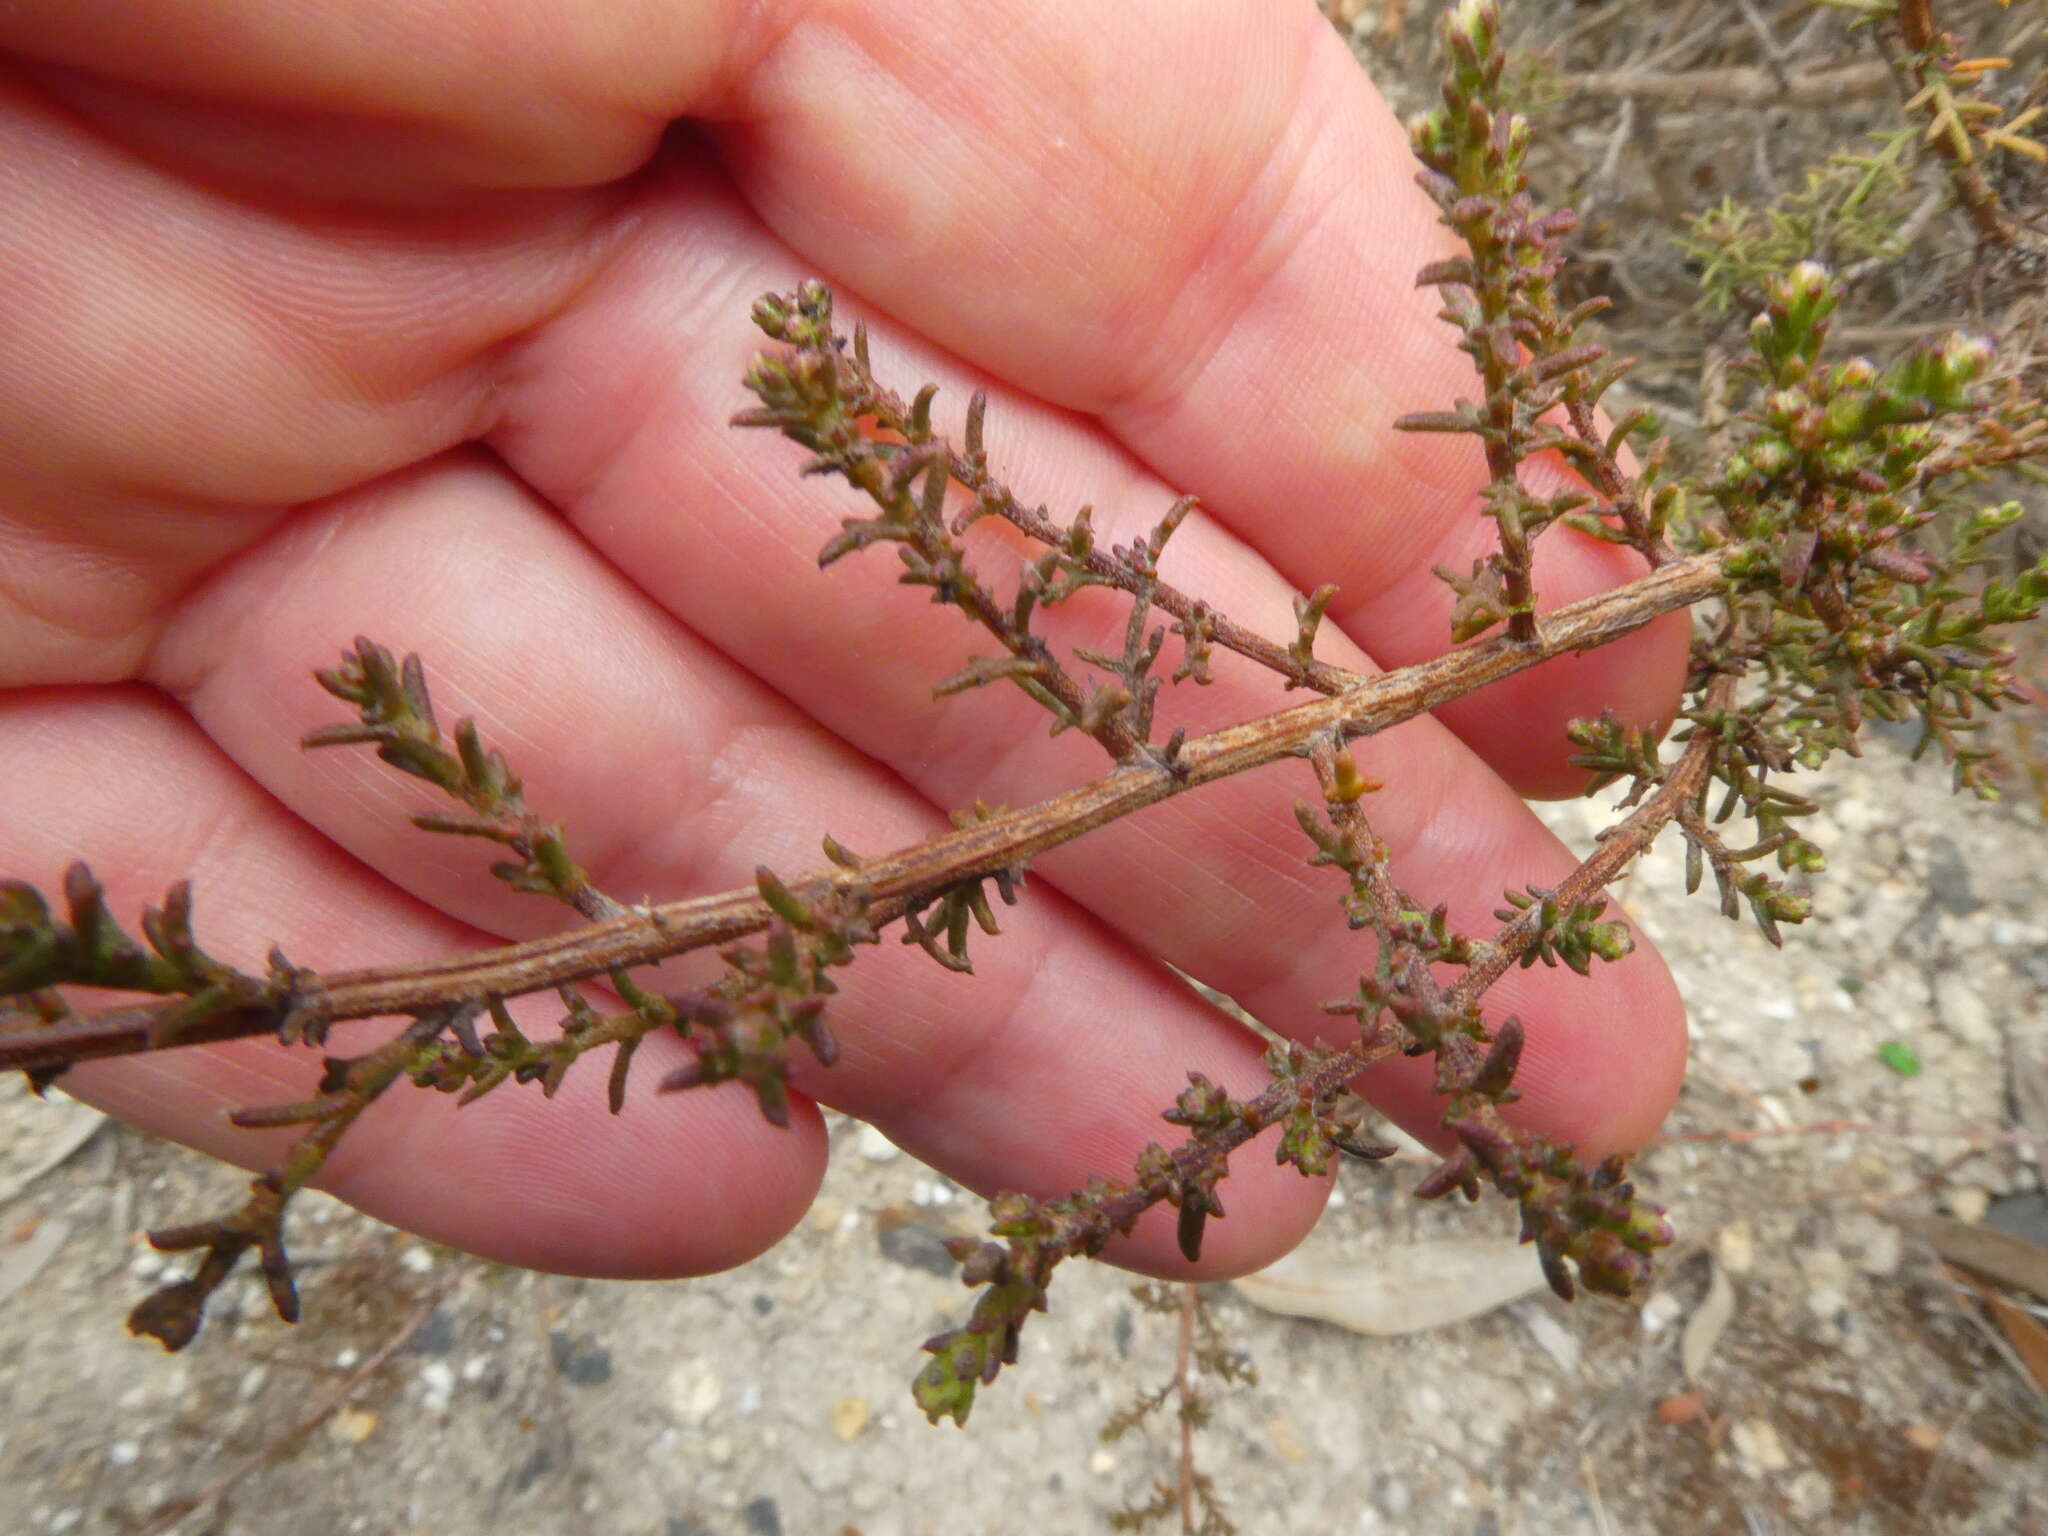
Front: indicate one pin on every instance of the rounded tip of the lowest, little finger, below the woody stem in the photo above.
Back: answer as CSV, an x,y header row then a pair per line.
x,y
677,1185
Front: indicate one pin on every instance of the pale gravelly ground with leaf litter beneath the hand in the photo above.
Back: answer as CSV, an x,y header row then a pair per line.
x,y
1848,1392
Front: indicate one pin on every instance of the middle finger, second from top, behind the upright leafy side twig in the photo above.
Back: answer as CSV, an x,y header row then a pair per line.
x,y
620,429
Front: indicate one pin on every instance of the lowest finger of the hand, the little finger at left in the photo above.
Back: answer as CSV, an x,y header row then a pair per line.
x,y
673,1187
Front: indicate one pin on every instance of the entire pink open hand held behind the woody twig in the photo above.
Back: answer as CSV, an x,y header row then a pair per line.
x,y
425,321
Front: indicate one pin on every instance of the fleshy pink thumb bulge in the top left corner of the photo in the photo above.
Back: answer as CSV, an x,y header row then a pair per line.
x,y
380,99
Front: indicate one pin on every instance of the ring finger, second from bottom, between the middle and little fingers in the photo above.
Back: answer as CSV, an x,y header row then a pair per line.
x,y
679,775
